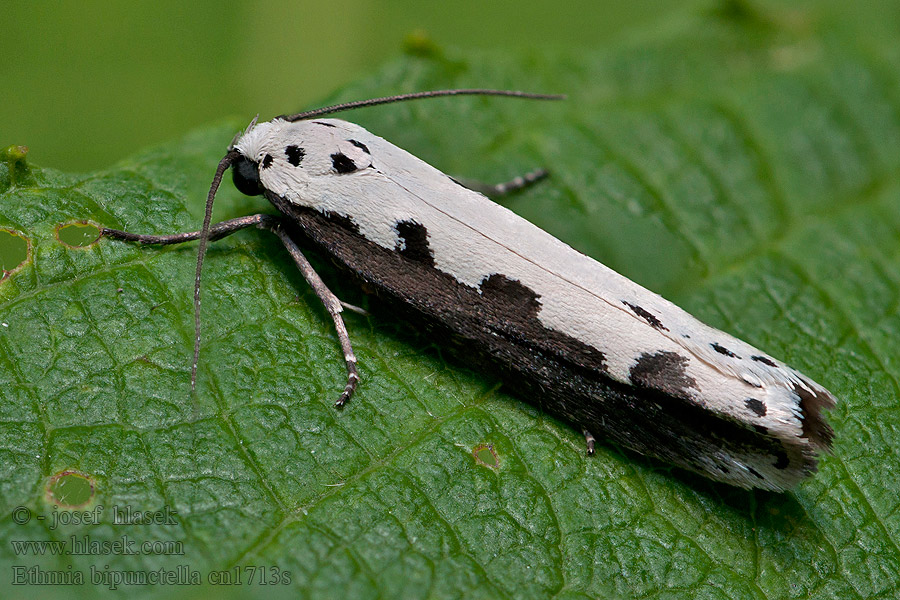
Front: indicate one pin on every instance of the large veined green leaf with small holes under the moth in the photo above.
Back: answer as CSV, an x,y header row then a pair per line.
x,y
744,166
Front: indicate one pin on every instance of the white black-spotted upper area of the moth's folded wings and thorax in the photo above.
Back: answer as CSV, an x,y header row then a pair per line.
x,y
632,335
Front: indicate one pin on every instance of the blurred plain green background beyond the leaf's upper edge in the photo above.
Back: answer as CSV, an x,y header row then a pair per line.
x,y
86,83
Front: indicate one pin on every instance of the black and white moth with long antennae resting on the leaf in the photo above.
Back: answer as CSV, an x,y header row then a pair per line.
x,y
583,342
